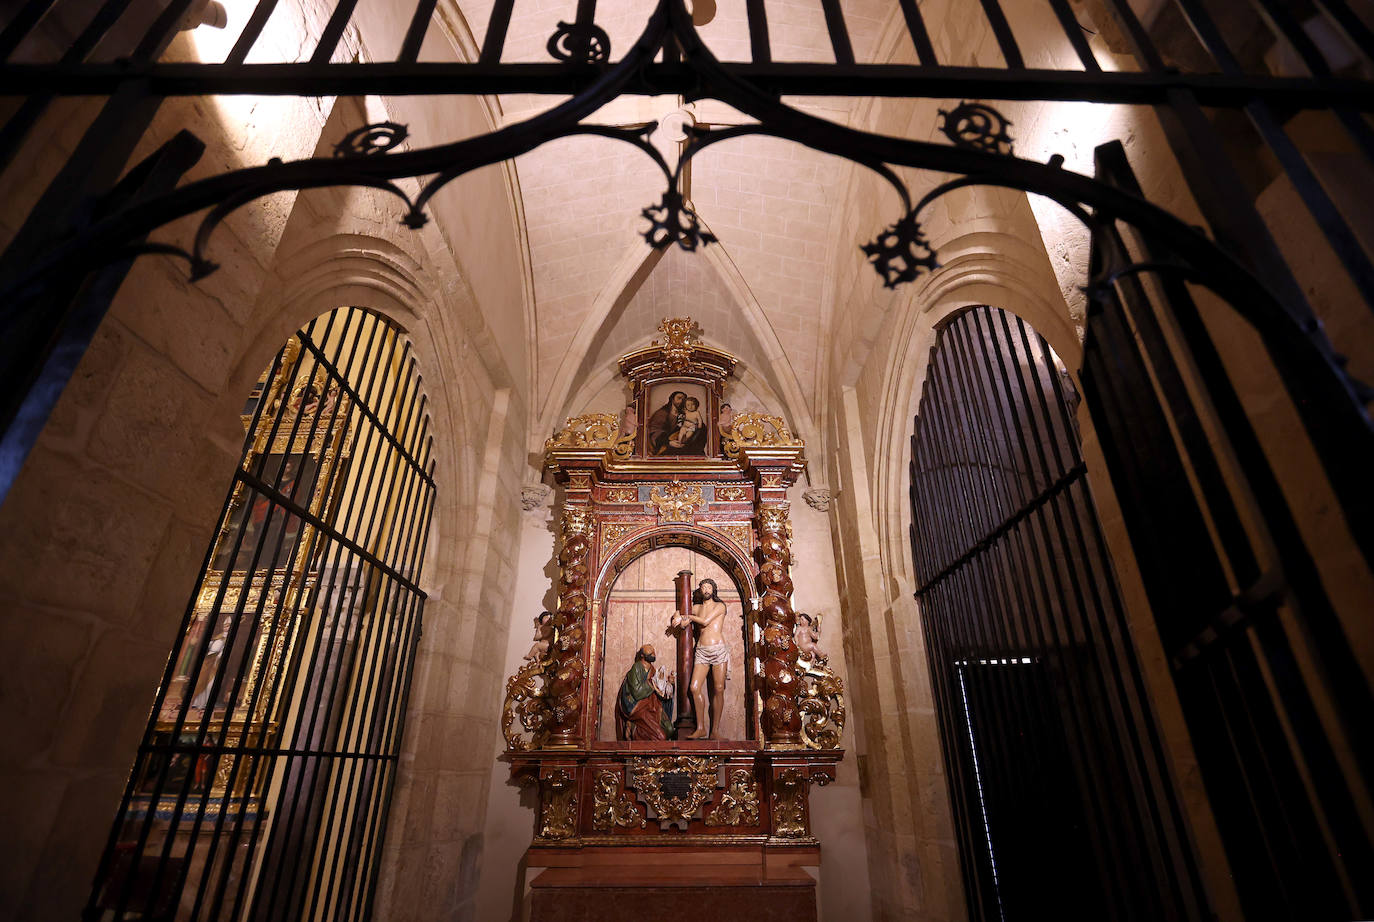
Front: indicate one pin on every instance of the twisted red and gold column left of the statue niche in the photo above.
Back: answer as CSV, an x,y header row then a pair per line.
x,y
565,678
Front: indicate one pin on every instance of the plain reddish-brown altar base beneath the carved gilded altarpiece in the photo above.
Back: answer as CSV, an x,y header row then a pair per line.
x,y
717,883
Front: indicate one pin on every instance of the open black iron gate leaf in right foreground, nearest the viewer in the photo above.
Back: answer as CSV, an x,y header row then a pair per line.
x,y
1279,708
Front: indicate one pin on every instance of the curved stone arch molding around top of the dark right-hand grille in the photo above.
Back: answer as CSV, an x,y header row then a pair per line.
x,y
990,269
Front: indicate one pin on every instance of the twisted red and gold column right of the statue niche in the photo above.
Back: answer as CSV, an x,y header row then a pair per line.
x,y
782,722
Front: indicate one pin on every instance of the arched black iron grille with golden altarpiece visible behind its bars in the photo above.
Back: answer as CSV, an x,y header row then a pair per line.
x,y
263,783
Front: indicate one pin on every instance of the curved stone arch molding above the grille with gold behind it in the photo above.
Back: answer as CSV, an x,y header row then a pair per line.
x,y
361,271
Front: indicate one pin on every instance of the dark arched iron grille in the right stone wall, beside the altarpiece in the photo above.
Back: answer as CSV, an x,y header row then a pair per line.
x,y
1061,800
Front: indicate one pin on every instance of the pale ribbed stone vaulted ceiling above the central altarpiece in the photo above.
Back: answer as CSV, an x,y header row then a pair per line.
x,y
763,293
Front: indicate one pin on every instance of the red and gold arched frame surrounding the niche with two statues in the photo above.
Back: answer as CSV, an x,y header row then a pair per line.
x,y
712,546
